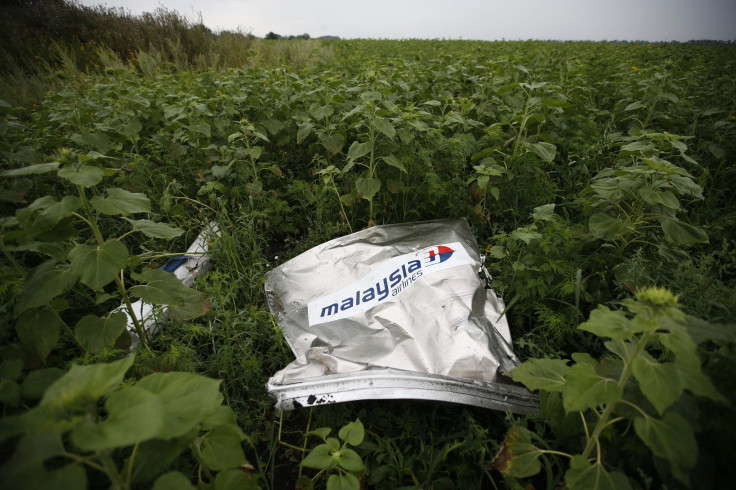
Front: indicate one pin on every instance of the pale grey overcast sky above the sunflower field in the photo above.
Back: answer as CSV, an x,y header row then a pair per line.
x,y
652,20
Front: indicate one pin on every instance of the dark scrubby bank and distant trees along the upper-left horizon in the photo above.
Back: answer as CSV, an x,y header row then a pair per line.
x,y
32,31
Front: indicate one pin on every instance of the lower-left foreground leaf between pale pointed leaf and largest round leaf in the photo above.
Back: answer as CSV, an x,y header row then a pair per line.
x,y
134,415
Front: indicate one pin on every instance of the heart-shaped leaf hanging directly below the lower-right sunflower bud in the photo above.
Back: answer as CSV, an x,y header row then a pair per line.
x,y
660,382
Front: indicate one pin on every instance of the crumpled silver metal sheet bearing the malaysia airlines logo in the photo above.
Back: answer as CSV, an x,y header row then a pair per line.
x,y
393,311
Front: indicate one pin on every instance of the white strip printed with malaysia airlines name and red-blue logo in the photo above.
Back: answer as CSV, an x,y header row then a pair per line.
x,y
387,280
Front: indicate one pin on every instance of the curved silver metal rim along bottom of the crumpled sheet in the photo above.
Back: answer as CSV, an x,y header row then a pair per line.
x,y
388,384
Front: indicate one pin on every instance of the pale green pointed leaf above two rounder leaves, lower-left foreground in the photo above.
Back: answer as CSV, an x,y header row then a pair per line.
x,y
82,386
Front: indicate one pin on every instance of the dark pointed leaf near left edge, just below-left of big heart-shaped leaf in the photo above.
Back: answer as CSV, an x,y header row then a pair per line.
x,y
47,281
